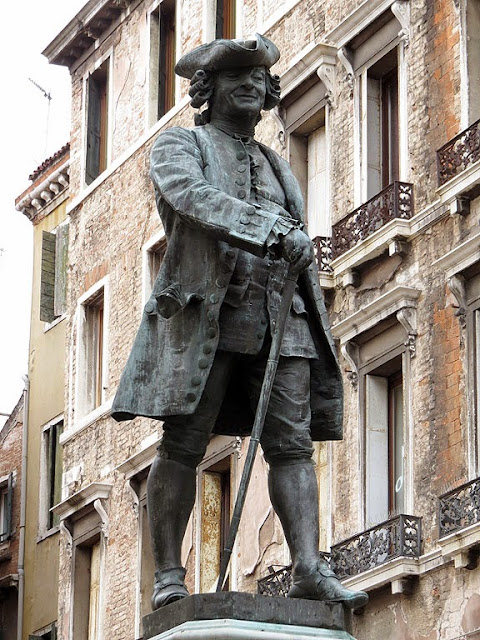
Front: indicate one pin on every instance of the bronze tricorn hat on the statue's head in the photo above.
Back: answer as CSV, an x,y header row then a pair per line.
x,y
226,54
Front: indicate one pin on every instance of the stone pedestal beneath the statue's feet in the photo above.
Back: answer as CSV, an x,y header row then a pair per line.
x,y
243,616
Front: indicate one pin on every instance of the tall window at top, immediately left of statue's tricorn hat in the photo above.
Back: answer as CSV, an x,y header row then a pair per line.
x,y
162,59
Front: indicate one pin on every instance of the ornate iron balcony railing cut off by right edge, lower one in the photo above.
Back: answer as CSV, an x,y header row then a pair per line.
x,y
459,508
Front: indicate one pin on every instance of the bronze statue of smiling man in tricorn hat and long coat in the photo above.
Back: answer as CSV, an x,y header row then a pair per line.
x,y
232,213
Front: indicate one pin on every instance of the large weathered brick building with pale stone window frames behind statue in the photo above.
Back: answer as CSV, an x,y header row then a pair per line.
x,y
379,119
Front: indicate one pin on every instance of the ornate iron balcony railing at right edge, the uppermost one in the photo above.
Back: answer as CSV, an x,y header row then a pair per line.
x,y
459,153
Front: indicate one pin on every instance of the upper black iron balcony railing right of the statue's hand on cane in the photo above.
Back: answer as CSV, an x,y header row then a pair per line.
x,y
395,201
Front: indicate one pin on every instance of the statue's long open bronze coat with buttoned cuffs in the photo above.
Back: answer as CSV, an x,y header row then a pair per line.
x,y
196,174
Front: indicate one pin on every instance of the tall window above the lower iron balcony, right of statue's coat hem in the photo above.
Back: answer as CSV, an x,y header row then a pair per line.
x,y
384,426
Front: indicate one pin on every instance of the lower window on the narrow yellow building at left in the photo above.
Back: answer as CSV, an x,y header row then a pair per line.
x,y
51,475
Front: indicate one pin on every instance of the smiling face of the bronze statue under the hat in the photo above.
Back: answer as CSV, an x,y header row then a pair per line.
x,y
239,92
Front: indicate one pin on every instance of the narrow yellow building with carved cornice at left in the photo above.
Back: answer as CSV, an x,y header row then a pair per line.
x,y
44,203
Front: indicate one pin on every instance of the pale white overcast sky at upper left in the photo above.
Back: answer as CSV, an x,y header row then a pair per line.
x,y
26,141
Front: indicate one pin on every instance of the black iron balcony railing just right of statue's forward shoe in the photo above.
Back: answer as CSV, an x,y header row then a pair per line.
x,y
398,537
